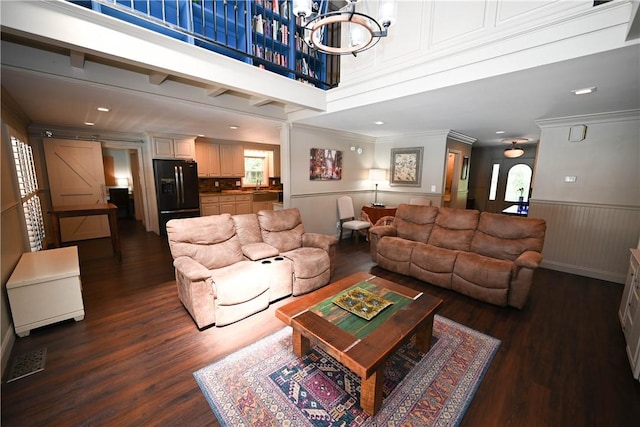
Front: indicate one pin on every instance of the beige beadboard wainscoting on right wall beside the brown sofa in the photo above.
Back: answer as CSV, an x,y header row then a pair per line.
x,y
588,239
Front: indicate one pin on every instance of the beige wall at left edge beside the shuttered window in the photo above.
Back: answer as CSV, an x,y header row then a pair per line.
x,y
11,223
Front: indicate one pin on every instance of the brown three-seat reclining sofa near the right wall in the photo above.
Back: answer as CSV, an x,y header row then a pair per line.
x,y
489,257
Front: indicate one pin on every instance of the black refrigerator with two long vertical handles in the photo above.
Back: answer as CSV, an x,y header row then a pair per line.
x,y
176,190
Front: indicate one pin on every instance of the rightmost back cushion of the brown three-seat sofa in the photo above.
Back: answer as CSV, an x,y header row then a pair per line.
x,y
506,237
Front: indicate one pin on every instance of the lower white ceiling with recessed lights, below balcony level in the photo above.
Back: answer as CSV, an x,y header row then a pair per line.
x,y
511,102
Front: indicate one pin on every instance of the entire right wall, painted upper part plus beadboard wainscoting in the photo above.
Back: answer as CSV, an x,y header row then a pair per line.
x,y
592,222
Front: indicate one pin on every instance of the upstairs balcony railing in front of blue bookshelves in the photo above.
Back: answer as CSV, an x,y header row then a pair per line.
x,y
263,33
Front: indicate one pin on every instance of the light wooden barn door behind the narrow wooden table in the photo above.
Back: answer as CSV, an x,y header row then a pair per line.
x,y
76,177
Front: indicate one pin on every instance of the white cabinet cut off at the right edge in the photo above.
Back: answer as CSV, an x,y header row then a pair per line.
x,y
629,312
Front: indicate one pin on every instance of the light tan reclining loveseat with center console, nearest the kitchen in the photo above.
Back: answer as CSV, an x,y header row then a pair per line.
x,y
230,267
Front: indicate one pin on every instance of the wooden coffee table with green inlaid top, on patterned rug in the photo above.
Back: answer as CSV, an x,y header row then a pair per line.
x,y
361,345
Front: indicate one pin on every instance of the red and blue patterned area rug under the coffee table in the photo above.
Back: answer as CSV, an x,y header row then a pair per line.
x,y
265,384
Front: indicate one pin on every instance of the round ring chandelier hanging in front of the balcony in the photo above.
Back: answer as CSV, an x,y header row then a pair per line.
x,y
363,30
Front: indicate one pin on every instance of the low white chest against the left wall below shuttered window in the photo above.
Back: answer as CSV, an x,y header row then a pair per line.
x,y
45,288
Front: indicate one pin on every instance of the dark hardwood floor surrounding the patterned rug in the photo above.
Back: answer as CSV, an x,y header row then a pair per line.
x,y
130,361
